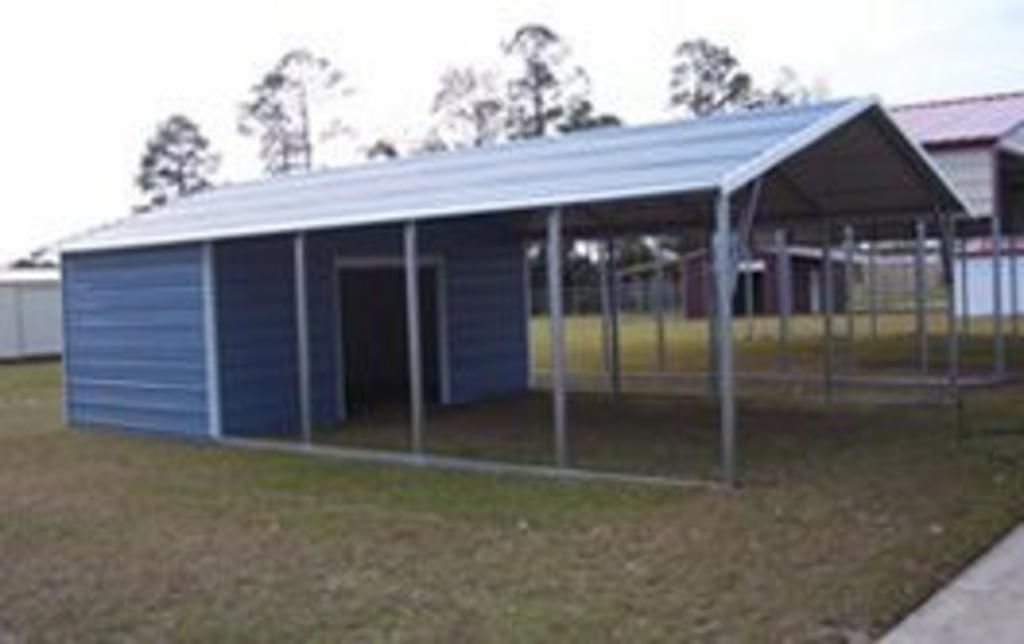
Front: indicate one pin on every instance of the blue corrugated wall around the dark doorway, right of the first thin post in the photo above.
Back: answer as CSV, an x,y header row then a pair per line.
x,y
487,327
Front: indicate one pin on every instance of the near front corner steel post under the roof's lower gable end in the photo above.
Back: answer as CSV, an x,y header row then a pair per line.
x,y
724,283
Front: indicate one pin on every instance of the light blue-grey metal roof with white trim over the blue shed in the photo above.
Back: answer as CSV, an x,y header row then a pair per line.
x,y
692,157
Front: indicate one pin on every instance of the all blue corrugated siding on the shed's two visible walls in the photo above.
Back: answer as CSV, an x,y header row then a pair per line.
x,y
136,328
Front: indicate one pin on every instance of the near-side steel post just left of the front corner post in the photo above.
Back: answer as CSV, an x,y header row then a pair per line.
x,y
559,379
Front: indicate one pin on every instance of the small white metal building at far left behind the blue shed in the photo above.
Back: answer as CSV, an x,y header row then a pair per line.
x,y
30,314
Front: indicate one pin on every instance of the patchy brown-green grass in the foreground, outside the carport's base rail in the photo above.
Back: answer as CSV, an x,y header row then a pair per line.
x,y
109,537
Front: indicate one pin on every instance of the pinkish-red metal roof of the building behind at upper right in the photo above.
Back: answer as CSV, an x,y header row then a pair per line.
x,y
958,121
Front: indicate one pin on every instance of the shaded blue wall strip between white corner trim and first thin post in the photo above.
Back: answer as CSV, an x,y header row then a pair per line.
x,y
258,337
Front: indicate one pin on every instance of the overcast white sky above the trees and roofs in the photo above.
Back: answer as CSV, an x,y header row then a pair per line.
x,y
87,82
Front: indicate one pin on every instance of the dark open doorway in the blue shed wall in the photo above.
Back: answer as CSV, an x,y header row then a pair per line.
x,y
375,338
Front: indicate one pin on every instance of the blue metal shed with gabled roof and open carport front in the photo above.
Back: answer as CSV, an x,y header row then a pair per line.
x,y
225,315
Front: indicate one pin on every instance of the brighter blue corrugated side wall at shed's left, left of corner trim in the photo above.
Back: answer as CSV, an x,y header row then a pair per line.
x,y
135,347
